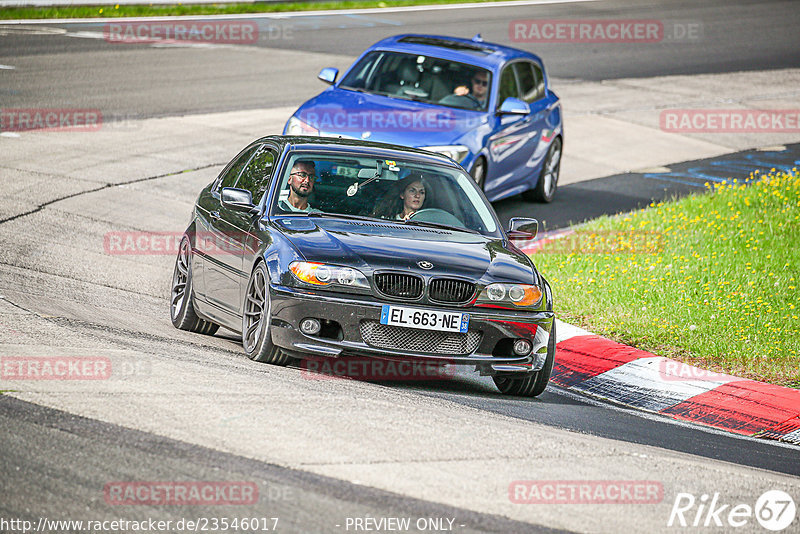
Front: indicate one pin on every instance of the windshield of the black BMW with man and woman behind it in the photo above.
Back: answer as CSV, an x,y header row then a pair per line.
x,y
404,192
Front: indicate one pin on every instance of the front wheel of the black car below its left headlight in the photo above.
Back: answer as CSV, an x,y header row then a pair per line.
x,y
257,320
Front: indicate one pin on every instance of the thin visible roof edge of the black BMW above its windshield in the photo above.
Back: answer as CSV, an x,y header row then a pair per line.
x,y
298,142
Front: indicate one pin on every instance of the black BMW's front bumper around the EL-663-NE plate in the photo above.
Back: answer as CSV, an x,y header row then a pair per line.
x,y
349,317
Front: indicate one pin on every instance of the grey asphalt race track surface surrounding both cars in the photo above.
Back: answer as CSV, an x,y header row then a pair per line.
x,y
323,452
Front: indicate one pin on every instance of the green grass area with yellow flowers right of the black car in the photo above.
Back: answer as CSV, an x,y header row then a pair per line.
x,y
710,279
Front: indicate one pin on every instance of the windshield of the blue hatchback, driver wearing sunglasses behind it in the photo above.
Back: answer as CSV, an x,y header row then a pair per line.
x,y
421,78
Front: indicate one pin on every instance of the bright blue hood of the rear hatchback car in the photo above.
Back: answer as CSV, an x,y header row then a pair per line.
x,y
389,120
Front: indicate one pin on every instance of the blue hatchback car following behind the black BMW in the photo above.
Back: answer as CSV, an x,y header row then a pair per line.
x,y
487,106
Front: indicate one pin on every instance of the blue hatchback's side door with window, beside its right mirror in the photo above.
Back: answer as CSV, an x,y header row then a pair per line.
x,y
513,144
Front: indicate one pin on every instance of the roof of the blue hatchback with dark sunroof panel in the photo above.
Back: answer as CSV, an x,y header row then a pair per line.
x,y
474,51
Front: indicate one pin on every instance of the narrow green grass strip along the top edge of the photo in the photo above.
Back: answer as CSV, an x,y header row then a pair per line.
x,y
149,10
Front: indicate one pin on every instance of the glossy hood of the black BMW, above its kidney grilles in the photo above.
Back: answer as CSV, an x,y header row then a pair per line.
x,y
376,246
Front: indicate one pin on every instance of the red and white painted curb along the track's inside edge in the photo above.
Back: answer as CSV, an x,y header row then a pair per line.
x,y
596,366
